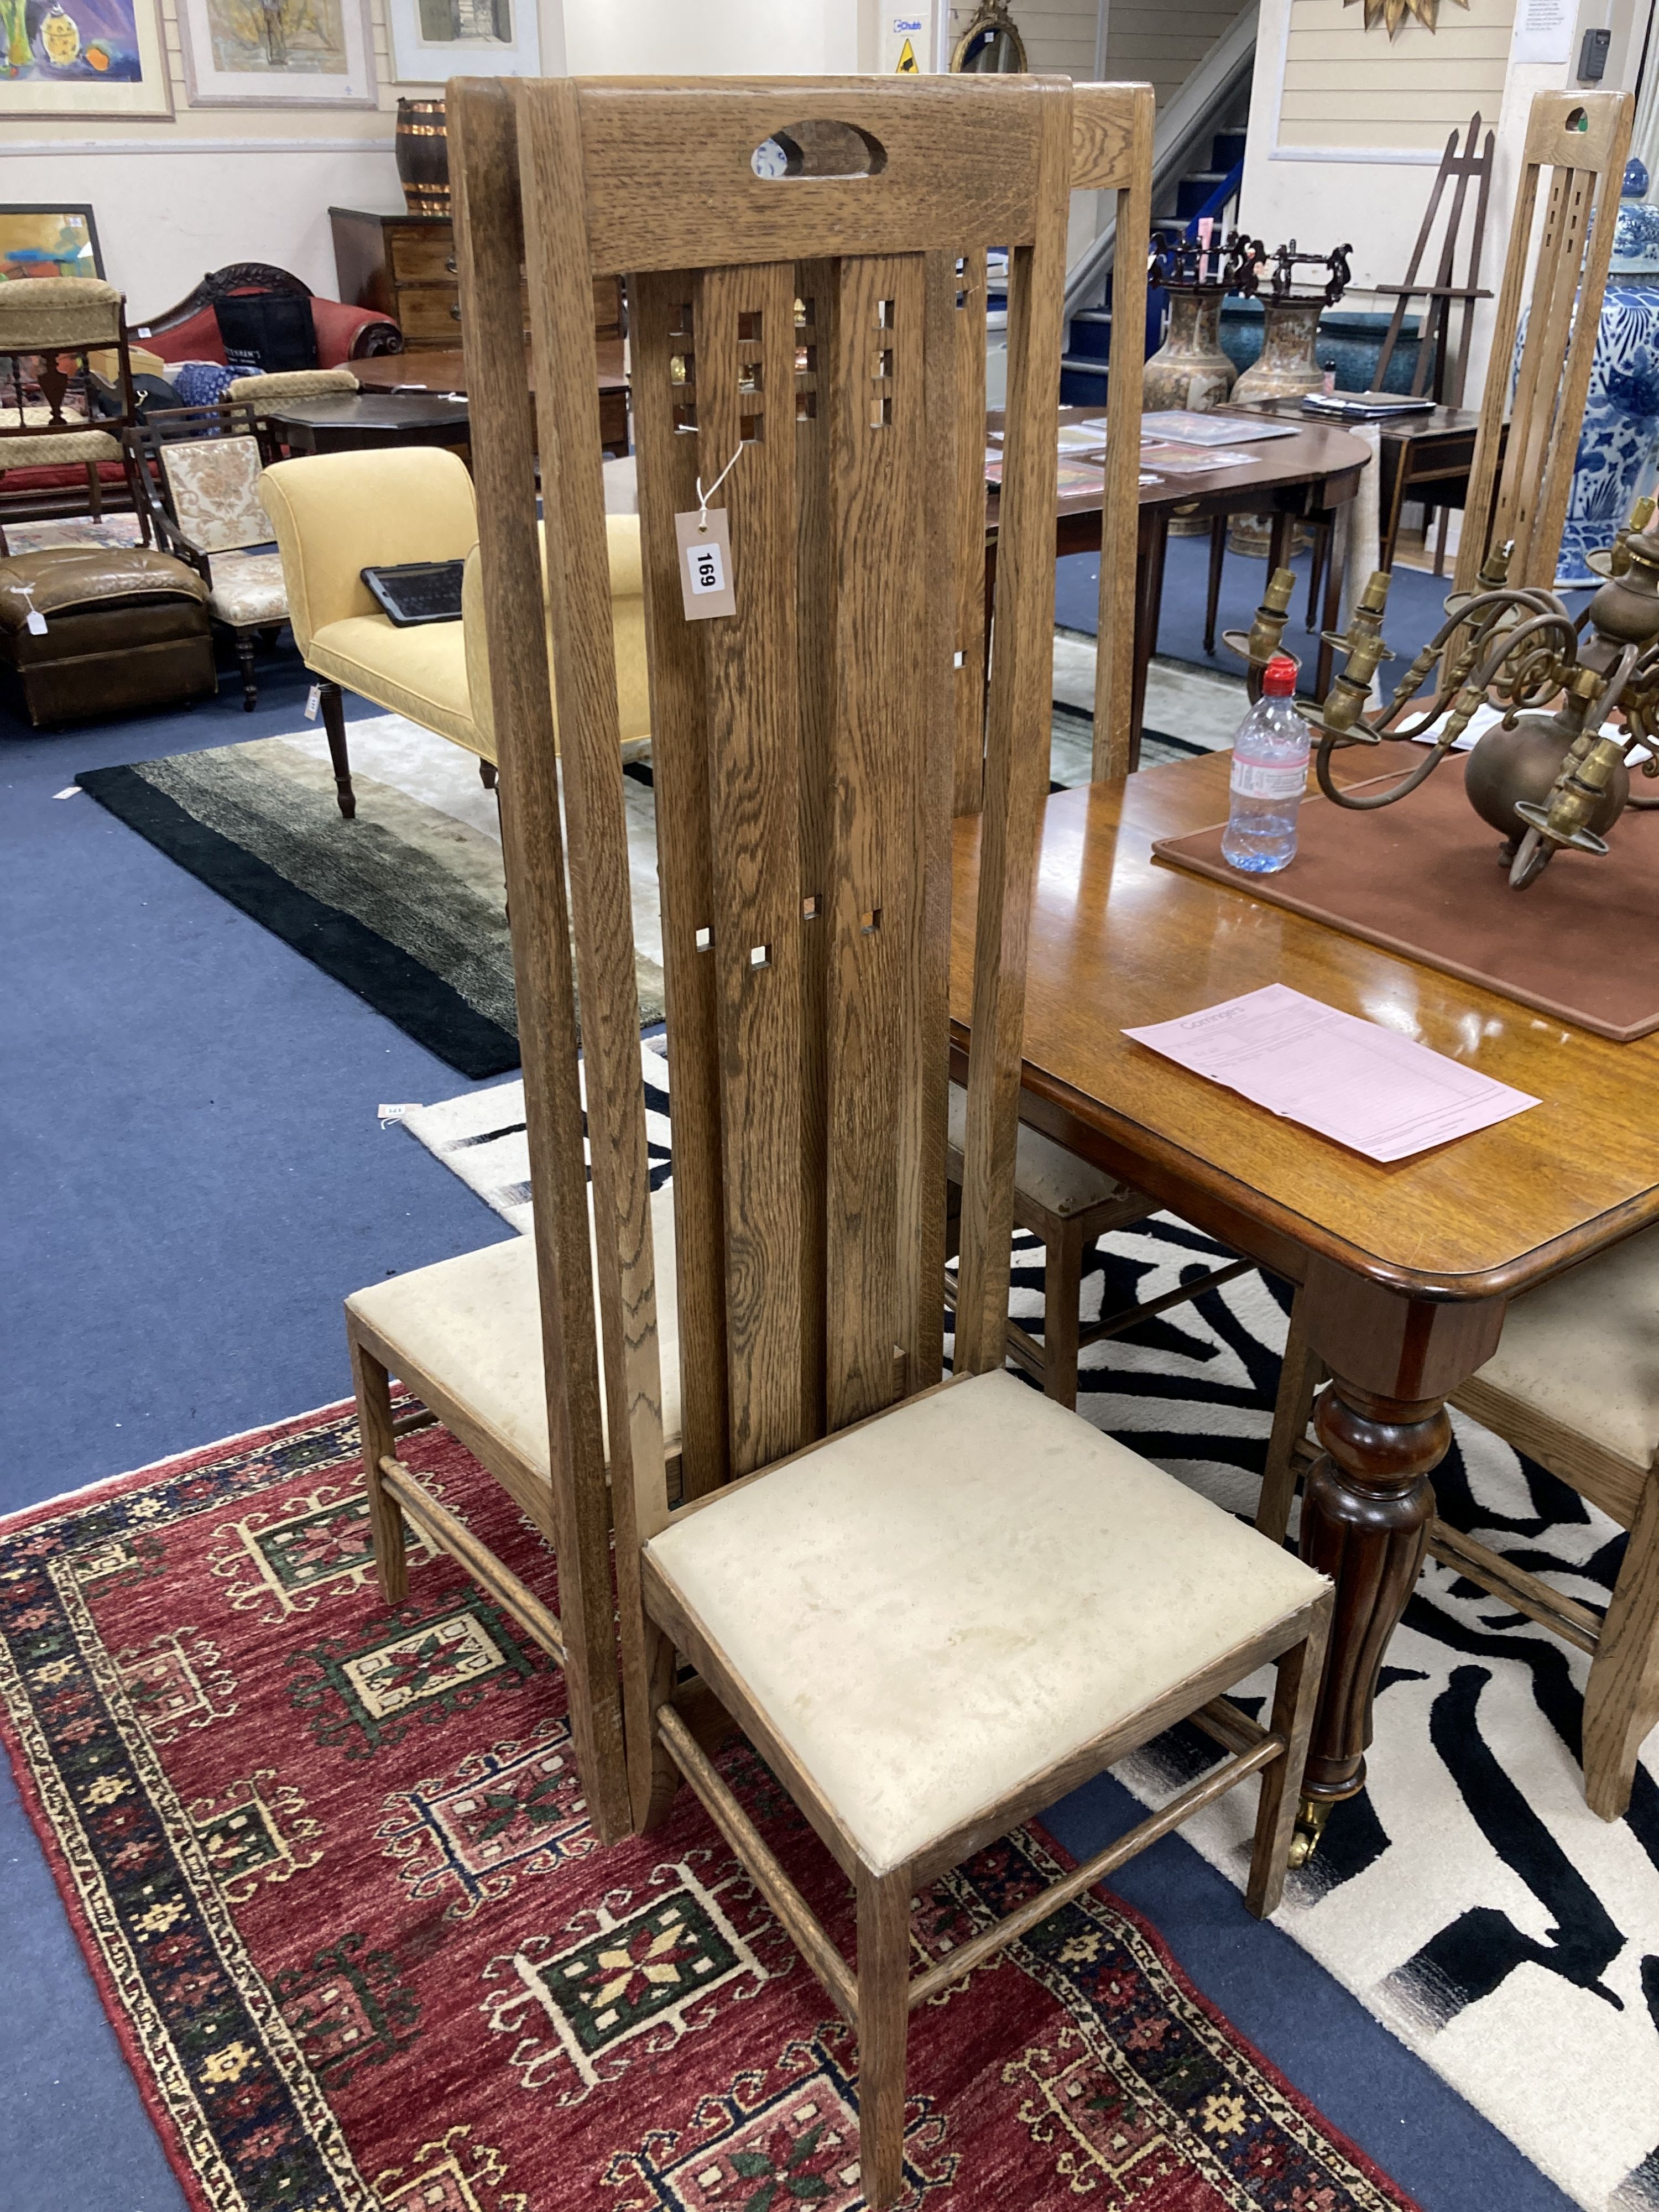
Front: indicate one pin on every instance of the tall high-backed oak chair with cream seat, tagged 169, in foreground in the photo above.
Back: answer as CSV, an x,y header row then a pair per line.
x,y
935,1607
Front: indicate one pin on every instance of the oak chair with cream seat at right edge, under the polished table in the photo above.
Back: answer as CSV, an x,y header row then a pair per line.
x,y
1576,1388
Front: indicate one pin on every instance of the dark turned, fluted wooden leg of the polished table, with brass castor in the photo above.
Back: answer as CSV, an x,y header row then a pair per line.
x,y
1368,1505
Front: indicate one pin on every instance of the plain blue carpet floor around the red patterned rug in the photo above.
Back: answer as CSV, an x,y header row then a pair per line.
x,y
194,1178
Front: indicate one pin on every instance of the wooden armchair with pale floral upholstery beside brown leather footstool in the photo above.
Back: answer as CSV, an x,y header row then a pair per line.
x,y
196,472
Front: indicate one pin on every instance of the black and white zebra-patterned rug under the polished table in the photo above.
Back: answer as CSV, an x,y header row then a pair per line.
x,y
1468,1899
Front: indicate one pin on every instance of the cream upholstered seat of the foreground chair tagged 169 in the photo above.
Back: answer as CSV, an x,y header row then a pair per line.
x,y
919,1649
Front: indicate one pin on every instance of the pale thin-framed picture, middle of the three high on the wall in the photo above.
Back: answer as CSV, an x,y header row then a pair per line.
x,y
267,54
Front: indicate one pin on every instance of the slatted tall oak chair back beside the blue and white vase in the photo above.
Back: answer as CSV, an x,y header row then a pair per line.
x,y
1521,483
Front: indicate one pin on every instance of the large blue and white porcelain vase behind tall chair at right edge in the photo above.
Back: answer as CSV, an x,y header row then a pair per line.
x,y
1620,435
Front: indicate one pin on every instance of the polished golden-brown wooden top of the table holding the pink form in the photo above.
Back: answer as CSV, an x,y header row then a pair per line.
x,y
1120,941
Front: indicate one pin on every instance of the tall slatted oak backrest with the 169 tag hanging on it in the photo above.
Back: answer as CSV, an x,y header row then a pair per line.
x,y
815,344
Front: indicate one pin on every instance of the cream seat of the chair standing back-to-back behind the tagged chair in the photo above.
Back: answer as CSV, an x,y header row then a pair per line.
x,y
472,1331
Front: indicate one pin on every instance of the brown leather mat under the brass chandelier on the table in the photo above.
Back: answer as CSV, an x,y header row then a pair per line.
x,y
1423,879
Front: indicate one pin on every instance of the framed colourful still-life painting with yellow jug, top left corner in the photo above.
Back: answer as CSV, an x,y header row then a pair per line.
x,y
83,59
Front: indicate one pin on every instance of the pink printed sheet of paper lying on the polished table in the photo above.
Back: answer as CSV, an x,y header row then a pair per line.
x,y
1353,1081
